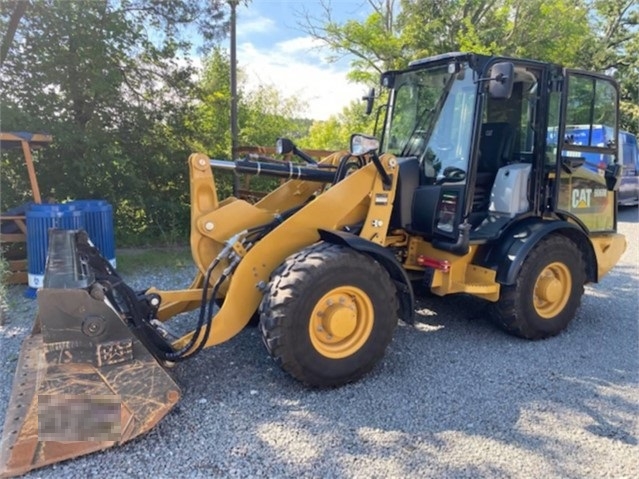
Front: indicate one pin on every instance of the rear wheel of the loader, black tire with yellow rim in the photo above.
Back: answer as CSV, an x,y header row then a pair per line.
x,y
547,292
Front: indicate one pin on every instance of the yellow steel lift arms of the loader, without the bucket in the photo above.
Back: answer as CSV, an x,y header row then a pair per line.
x,y
346,203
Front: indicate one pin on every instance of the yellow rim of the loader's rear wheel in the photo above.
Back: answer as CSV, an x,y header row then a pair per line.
x,y
552,290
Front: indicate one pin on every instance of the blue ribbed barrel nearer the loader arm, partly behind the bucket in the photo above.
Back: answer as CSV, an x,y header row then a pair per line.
x,y
98,220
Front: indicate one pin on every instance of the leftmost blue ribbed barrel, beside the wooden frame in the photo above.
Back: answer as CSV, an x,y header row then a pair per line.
x,y
40,218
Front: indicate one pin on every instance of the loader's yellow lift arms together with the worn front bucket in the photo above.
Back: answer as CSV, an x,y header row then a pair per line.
x,y
91,321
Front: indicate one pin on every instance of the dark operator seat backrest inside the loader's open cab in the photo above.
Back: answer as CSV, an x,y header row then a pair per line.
x,y
496,147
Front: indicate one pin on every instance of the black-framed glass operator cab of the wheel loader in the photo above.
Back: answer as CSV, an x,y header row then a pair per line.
x,y
471,136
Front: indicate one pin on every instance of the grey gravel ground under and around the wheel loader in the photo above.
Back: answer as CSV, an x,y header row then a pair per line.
x,y
453,397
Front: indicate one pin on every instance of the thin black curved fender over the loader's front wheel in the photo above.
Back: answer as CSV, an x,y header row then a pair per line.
x,y
384,257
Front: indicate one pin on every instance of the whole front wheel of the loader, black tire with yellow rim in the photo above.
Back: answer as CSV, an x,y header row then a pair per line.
x,y
328,315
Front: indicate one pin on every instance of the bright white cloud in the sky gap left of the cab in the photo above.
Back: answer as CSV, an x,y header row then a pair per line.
x,y
297,69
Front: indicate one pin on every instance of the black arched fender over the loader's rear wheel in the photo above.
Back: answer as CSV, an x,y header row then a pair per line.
x,y
507,255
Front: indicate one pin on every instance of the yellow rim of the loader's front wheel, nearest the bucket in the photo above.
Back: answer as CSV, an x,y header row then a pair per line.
x,y
341,322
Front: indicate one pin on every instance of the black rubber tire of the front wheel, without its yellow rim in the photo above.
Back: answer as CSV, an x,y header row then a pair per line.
x,y
342,267
